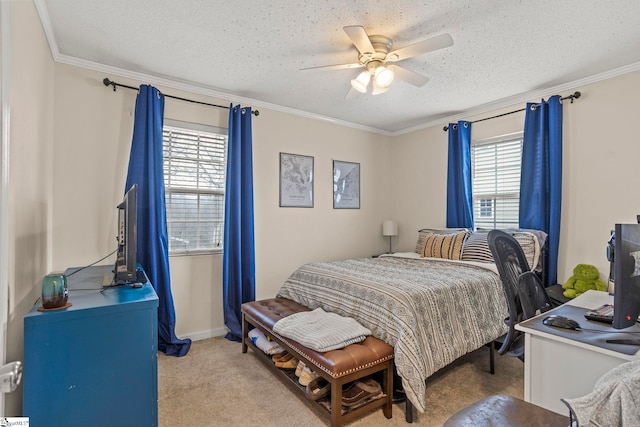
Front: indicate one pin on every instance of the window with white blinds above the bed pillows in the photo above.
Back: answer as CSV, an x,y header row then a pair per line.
x,y
495,165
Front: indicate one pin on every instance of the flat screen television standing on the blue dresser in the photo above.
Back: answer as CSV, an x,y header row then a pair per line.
x,y
125,268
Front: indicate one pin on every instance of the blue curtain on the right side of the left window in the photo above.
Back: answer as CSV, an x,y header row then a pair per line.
x,y
238,259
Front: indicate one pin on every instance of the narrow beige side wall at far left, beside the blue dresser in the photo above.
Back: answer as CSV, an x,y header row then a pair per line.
x,y
30,183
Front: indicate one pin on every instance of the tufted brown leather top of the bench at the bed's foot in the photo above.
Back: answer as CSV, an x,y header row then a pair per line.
x,y
336,363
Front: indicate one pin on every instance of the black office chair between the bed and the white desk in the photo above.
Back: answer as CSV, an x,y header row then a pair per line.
x,y
523,289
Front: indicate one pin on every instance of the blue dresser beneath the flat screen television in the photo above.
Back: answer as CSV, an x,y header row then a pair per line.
x,y
94,363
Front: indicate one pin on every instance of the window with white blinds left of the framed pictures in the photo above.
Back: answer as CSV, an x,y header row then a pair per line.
x,y
194,180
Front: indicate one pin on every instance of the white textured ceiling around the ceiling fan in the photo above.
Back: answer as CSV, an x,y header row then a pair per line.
x,y
254,50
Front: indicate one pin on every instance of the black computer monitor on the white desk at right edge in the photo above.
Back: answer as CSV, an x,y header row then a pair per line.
x,y
626,300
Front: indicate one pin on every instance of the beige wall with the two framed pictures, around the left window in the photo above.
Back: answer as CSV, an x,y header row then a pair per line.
x,y
93,129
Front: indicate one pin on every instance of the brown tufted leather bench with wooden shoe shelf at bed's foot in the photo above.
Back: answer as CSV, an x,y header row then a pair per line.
x,y
338,367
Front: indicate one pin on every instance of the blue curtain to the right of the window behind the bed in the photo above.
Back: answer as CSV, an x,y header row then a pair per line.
x,y
541,176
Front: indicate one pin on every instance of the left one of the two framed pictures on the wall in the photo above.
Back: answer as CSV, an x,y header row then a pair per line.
x,y
296,181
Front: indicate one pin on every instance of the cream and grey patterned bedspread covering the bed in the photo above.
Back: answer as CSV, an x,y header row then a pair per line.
x,y
432,312
